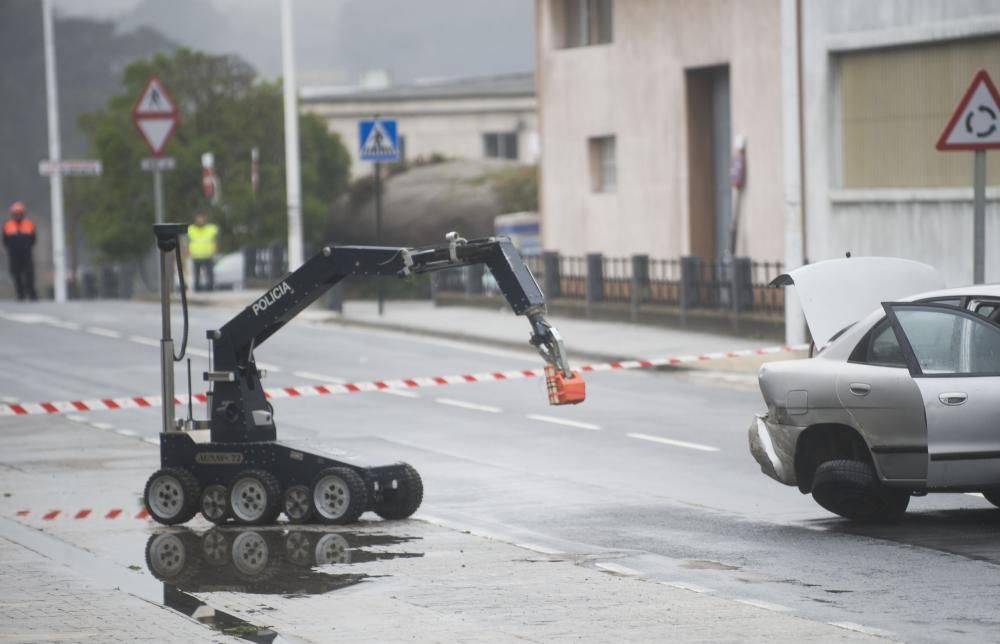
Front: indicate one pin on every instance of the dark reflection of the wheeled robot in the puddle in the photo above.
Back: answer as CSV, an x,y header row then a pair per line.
x,y
274,561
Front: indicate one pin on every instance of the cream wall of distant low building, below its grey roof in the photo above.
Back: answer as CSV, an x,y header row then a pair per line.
x,y
449,127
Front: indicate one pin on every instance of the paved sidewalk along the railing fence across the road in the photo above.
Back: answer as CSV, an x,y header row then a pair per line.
x,y
585,339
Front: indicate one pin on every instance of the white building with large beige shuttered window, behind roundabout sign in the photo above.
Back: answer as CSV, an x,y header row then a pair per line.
x,y
879,82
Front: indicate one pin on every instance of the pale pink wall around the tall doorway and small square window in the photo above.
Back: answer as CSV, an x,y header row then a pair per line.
x,y
635,89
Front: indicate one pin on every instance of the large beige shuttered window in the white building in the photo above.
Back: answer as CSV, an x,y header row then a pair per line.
x,y
893,104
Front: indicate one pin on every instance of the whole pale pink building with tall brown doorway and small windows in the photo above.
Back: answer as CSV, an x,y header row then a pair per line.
x,y
640,103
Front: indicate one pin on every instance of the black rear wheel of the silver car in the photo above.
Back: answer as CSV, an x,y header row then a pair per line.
x,y
852,490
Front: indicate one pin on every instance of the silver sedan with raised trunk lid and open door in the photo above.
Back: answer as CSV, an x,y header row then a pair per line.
x,y
901,396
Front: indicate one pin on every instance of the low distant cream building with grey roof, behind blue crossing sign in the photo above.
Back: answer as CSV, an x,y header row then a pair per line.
x,y
477,118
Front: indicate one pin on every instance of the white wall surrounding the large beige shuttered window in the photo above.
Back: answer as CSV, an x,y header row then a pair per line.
x,y
930,225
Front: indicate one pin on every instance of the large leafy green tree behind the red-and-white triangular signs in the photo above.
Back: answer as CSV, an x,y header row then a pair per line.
x,y
224,110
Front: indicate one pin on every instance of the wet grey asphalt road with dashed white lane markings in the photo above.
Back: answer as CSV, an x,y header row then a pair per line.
x,y
597,478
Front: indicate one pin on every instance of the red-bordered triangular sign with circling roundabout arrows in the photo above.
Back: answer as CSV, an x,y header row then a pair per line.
x,y
975,125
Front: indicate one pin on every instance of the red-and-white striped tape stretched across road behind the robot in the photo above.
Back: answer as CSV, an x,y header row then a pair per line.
x,y
137,402
